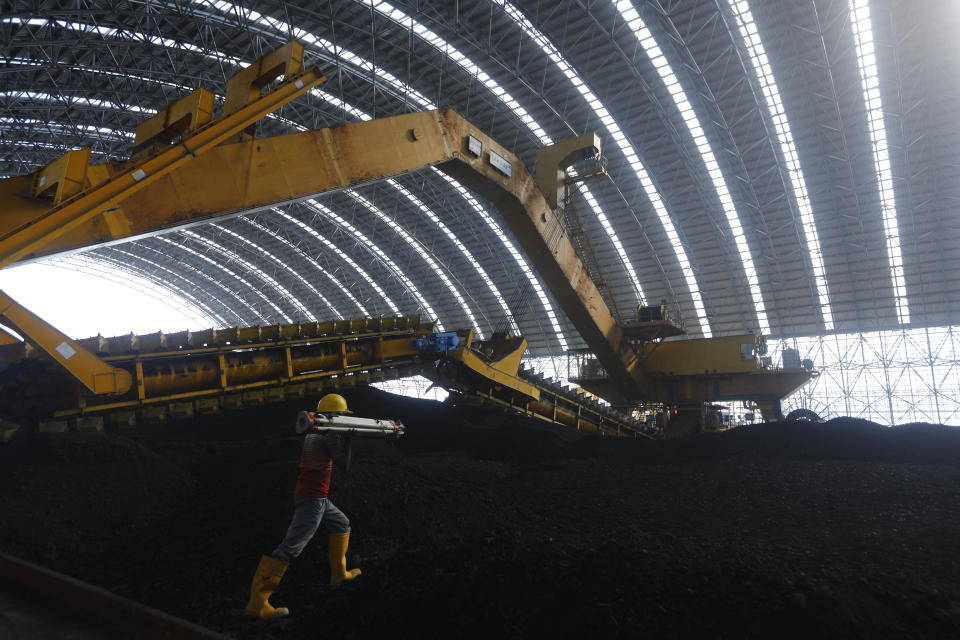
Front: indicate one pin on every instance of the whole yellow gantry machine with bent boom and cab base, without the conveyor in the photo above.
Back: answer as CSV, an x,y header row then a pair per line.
x,y
189,167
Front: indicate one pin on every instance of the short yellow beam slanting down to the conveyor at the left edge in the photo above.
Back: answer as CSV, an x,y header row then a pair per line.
x,y
95,374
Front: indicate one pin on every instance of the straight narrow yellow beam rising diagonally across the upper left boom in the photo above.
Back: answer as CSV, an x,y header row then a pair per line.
x,y
23,235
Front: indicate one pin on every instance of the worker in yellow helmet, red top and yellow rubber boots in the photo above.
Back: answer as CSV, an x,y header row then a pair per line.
x,y
320,452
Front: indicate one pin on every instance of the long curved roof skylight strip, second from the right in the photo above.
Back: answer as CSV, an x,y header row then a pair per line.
x,y
771,94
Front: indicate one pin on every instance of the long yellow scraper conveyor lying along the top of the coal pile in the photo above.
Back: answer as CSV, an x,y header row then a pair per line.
x,y
181,375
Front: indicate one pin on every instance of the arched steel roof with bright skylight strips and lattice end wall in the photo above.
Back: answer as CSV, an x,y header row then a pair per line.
x,y
754,150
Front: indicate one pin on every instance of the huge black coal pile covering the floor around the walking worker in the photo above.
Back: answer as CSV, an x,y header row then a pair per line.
x,y
480,524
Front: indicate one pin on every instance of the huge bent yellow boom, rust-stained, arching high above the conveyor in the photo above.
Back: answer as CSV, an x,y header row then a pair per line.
x,y
252,174
